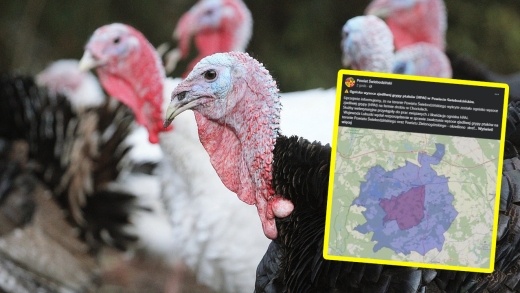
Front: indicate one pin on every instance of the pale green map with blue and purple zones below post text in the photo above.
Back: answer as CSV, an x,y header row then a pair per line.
x,y
413,197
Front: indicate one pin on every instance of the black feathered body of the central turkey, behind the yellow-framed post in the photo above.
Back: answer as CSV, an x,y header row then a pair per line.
x,y
294,263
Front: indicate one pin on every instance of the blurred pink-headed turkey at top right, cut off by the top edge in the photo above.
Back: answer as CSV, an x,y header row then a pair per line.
x,y
426,21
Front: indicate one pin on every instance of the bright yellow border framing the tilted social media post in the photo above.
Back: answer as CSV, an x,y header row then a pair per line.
x,y
333,168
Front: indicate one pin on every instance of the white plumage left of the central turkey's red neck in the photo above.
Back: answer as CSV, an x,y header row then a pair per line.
x,y
218,237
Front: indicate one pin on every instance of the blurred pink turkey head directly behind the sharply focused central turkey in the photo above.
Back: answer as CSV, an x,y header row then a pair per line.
x,y
217,26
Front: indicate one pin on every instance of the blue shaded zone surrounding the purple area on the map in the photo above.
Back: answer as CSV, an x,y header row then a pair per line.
x,y
439,212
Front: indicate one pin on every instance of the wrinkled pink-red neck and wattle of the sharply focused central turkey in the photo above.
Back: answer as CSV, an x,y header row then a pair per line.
x,y
240,143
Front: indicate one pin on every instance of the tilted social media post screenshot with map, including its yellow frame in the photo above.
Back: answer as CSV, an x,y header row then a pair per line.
x,y
415,171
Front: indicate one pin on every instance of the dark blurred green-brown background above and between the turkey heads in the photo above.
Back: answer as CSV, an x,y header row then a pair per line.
x,y
297,40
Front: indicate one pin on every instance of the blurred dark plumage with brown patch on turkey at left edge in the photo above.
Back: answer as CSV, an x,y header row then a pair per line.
x,y
50,128
